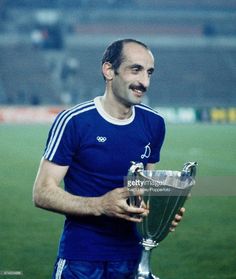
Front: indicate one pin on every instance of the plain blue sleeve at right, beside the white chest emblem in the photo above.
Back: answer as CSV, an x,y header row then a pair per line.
x,y
157,141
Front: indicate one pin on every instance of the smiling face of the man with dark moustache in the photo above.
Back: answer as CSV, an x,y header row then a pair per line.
x,y
133,76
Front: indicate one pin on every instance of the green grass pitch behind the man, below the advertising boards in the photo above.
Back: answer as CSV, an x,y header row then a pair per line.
x,y
203,247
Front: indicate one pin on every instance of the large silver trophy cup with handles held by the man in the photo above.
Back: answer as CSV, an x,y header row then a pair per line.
x,y
164,193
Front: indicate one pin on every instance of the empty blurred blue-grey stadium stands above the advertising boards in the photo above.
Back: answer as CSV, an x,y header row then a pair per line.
x,y
50,51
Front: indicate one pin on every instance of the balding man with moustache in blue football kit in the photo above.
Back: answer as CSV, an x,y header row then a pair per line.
x,y
90,146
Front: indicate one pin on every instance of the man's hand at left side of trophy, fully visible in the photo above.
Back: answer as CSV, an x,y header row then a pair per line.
x,y
114,204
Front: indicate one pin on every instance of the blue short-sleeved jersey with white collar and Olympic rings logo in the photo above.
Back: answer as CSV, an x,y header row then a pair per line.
x,y
98,150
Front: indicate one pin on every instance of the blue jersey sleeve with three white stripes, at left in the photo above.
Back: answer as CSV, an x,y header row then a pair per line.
x,y
62,141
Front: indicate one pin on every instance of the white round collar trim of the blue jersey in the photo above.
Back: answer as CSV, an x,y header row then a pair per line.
x,y
108,117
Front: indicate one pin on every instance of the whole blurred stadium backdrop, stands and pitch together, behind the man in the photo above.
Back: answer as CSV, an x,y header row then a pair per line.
x,y
50,52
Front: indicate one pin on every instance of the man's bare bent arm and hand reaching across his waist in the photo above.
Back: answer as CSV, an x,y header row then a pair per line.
x,y
48,195
